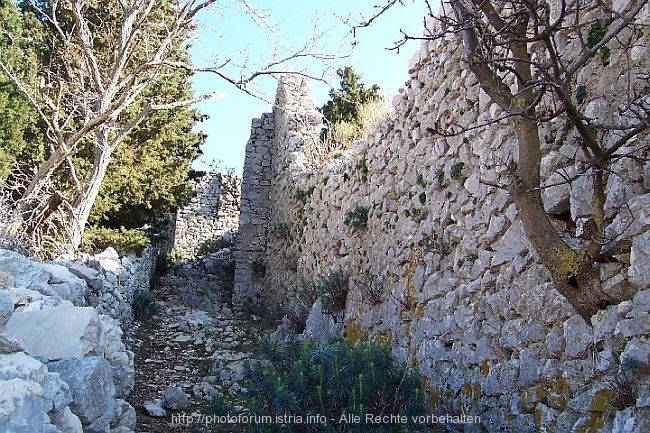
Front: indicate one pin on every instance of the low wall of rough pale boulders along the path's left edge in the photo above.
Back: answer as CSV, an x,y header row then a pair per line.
x,y
63,365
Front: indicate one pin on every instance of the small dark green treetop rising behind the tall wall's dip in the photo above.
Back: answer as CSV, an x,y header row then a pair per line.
x,y
345,102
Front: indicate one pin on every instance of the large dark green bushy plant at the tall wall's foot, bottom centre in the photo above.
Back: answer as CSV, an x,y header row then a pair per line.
x,y
333,380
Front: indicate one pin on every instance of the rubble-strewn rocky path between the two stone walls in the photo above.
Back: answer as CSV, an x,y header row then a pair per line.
x,y
193,349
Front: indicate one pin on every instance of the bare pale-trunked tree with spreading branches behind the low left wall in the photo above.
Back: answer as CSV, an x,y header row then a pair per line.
x,y
101,65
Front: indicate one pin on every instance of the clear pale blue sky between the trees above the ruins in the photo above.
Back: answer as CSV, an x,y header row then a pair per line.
x,y
278,27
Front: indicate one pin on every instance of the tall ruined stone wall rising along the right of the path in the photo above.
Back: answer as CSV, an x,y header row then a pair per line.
x,y
442,270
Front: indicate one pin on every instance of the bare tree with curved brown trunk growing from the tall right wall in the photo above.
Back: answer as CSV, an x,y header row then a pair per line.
x,y
527,55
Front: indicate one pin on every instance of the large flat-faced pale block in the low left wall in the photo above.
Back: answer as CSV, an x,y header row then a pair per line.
x,y
57,333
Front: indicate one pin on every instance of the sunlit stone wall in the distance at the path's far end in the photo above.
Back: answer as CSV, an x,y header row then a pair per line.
x,y
212,213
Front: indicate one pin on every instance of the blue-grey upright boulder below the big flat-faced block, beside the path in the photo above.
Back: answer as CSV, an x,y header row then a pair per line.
x,y
93,393
